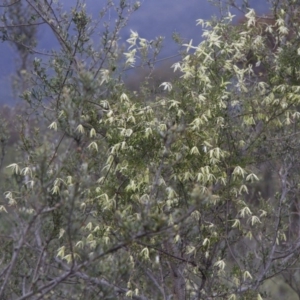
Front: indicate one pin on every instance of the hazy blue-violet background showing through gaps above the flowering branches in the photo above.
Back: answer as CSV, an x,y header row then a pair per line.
x,y
154,18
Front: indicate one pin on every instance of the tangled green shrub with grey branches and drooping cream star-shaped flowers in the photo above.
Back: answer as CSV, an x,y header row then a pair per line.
x,y
190,193
